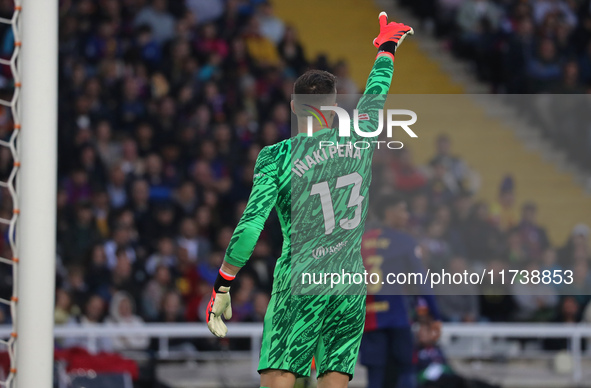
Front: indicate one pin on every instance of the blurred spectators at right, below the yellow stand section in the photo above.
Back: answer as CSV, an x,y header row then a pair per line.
x,y
458,233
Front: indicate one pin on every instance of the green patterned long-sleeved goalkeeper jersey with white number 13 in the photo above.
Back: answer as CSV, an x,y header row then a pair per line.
x,y
319,186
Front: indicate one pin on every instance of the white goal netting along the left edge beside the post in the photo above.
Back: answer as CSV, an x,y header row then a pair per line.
x,y
9,142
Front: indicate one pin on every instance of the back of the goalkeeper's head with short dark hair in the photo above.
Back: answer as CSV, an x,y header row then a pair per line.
x,y
316,88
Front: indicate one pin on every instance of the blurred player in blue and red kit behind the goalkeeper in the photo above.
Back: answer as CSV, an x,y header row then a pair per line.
x,y
387,345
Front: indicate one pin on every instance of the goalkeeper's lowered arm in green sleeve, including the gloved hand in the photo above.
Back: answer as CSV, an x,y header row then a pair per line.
x,y
261,201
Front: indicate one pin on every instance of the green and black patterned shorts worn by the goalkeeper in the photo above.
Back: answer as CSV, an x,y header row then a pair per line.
x,y
297,327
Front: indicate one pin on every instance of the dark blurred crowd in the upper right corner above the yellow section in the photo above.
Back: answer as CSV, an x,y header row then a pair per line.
x,y
522,47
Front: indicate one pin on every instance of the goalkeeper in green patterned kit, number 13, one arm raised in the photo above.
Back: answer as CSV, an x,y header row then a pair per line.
x,y
320,195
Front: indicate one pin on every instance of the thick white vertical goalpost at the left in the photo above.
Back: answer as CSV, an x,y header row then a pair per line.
x,y
37,177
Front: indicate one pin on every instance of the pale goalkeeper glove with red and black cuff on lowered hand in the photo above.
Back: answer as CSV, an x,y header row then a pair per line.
x,y
219,305
